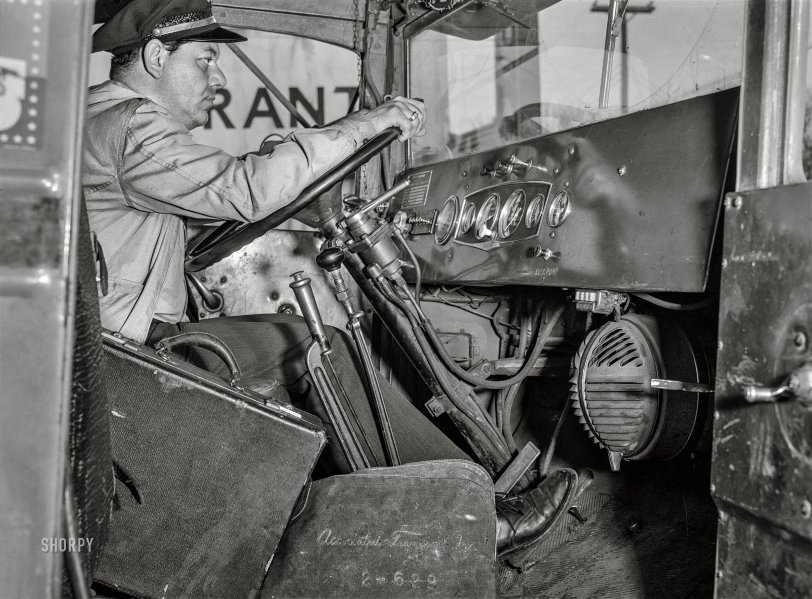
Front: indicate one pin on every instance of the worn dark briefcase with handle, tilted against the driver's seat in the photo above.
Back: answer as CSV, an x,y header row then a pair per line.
x,y
208,475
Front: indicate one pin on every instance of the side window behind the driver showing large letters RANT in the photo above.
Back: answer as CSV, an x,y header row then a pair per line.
x,y
319,79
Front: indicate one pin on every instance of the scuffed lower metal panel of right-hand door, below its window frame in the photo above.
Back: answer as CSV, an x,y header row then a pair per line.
x,y
762,462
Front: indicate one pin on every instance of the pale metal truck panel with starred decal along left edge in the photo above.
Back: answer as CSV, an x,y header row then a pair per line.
x,y
44,47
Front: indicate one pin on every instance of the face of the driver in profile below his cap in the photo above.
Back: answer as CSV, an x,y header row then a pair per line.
x,y
189,81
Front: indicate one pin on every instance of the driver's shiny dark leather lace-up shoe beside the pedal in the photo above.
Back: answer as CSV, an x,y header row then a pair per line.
x,y
522,520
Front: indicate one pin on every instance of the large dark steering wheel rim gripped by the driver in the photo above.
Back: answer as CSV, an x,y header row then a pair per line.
x,y
231,236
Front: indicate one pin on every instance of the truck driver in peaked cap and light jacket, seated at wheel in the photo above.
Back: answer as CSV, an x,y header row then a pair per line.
x,y
145,176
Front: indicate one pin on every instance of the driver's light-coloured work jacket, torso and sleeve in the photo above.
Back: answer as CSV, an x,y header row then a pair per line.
x,y
144,176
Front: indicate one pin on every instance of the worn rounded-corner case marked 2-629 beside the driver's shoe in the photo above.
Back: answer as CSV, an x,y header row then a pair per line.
x,y
420,530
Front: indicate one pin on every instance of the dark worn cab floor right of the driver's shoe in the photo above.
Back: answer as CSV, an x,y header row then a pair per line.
x,y
648,533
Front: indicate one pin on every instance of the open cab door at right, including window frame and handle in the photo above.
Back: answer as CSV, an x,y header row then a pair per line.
x,y
762,460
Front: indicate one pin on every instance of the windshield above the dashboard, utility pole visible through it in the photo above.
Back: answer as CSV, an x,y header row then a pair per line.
x,y
489,81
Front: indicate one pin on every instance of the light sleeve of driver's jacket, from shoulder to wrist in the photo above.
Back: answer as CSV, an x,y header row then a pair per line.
x,y
163,169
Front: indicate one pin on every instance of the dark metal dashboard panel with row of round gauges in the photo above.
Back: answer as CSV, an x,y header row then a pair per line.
x,y
630,204
